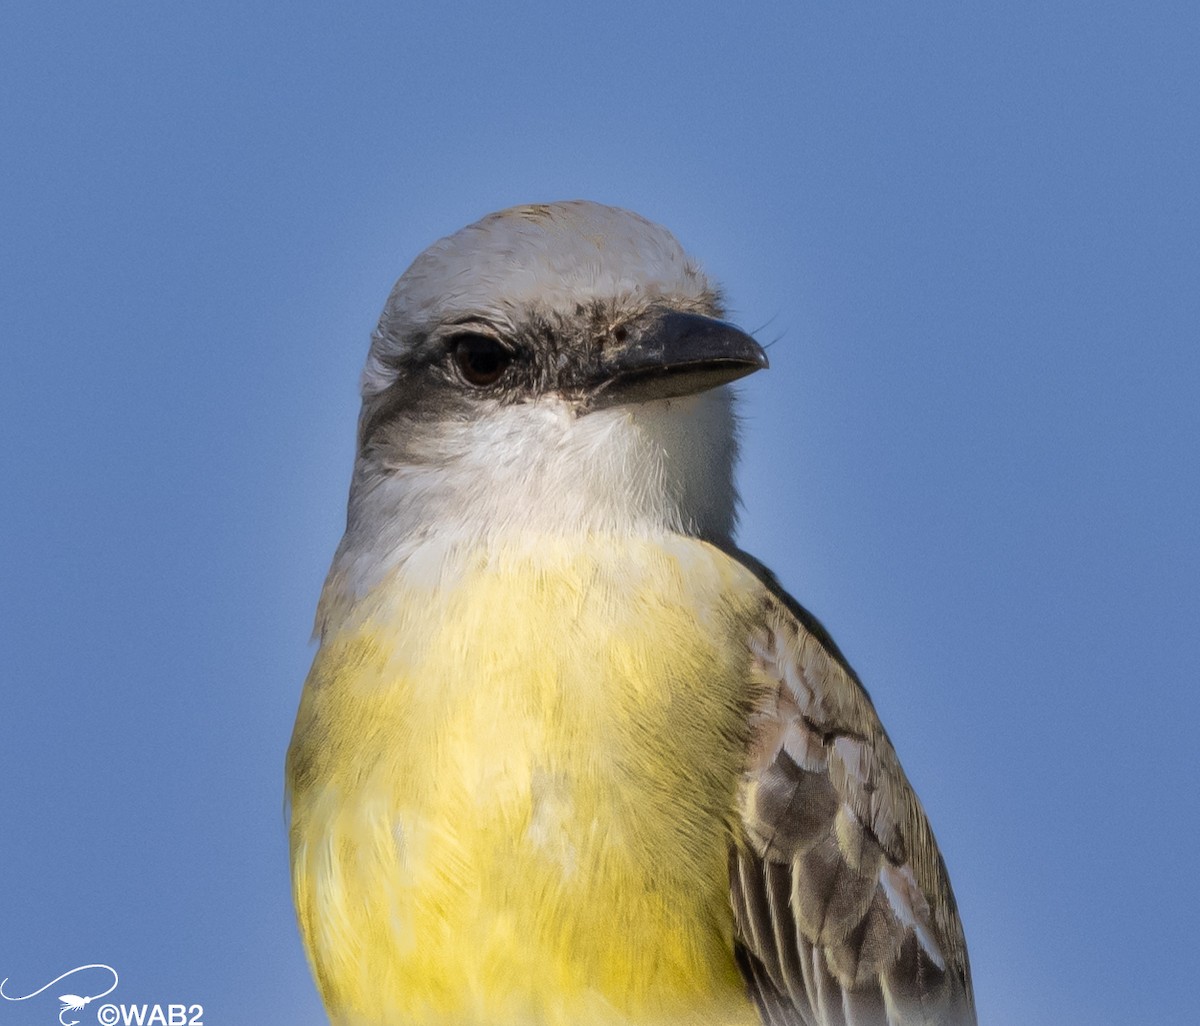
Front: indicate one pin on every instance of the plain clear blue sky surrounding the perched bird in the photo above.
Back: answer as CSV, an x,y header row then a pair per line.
x,y
975,233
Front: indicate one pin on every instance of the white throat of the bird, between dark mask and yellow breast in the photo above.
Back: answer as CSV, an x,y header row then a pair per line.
x,y
537,470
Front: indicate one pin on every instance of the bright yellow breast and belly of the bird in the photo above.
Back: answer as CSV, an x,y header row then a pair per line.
x,y
512,794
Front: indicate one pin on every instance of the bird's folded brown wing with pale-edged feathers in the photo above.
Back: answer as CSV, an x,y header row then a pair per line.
x,y
844,911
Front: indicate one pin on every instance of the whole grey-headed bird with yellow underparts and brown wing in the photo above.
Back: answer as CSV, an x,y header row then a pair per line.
x,y
567,757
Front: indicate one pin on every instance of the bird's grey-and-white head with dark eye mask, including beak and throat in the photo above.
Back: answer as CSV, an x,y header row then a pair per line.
x,y
550,368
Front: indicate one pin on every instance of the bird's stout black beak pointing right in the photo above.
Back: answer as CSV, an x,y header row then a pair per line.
x,y
675,355
